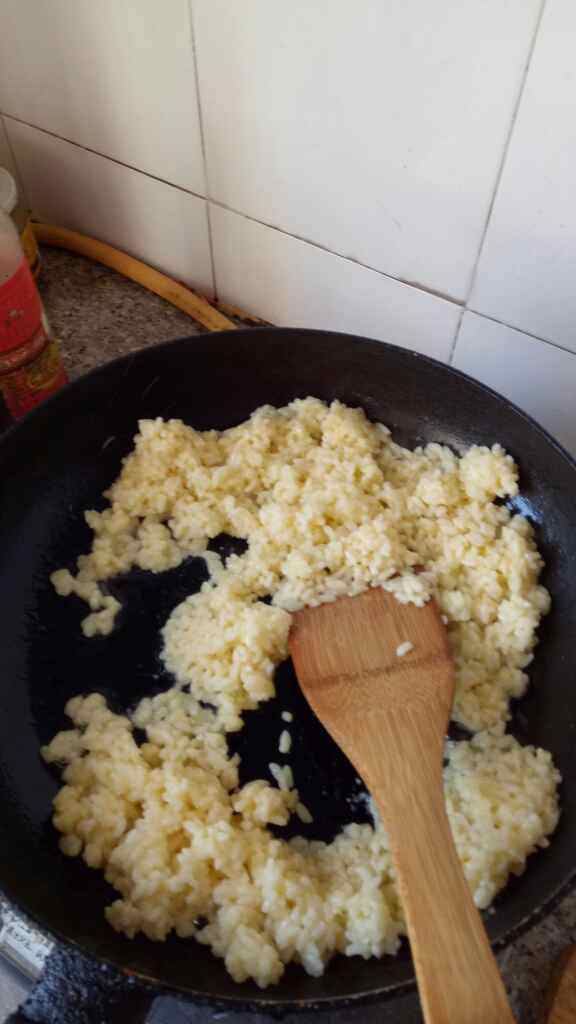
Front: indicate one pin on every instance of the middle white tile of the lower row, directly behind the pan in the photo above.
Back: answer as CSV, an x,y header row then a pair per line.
x,y
295,284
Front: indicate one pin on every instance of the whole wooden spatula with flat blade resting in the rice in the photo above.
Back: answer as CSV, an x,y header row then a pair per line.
x,y
390,715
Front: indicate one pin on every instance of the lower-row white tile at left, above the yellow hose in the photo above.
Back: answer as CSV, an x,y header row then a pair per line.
x,y
67,186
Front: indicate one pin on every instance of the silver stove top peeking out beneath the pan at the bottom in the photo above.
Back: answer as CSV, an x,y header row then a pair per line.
x,y
24,951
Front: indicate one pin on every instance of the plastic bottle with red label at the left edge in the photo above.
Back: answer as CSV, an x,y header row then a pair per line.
x,y
30,362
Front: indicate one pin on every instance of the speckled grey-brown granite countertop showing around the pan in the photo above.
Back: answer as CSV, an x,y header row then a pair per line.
x,y
99,316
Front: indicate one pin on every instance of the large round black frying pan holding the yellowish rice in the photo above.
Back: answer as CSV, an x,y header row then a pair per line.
x,y
57,463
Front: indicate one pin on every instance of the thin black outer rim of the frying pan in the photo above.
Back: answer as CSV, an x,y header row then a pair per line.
x,y
265,1004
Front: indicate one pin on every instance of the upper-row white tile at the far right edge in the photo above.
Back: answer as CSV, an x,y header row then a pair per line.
x,y
527,275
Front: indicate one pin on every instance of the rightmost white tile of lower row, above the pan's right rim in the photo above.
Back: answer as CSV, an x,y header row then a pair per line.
x,y
539,377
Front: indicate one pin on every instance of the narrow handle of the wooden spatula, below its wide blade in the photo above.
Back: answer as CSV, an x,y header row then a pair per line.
x,y
459,978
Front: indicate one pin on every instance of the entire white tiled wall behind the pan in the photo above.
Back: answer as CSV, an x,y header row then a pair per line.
x,y
402,170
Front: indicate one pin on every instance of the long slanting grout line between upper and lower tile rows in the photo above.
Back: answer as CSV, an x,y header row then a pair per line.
x,y
444,297
